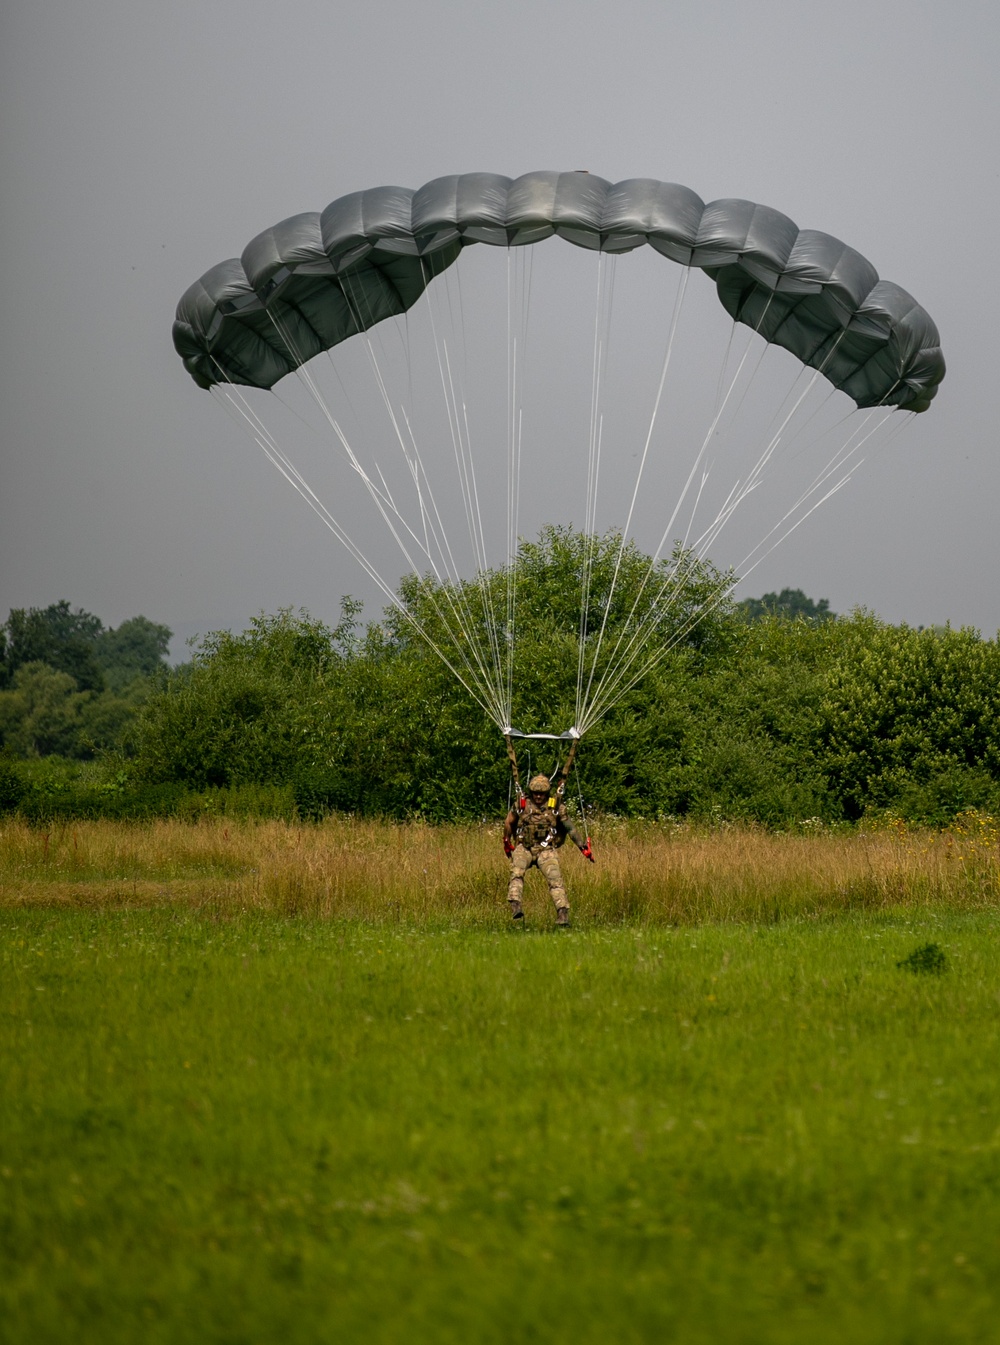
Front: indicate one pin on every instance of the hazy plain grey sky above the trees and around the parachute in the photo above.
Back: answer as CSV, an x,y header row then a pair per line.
x,y
143,143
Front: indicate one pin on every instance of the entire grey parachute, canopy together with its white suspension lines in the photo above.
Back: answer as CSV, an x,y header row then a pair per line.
x,y
325,280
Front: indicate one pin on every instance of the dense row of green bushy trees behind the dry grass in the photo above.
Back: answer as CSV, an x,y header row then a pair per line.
x,y
753,716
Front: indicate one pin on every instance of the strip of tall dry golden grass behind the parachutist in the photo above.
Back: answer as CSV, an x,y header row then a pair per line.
x,y
383,872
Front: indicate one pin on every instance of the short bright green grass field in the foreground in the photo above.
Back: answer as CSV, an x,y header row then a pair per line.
x,y
270,1129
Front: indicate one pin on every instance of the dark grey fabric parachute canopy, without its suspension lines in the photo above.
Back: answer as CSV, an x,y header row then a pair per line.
x,y
317,279
